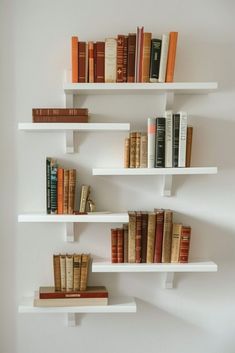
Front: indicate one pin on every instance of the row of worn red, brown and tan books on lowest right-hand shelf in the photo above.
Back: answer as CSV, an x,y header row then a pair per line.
x,y
151,237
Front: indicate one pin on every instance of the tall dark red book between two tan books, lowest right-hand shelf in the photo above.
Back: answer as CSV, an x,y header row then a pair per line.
x,y
158,235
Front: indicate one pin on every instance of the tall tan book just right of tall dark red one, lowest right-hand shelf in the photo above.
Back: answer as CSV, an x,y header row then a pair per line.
x,y
167,236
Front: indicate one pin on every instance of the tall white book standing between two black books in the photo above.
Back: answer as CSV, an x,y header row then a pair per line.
x,y
168,138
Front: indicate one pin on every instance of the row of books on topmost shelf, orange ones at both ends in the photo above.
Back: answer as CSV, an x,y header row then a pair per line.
x,y
136,57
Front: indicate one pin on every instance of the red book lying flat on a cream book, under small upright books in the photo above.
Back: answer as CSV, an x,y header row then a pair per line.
x,y
91,292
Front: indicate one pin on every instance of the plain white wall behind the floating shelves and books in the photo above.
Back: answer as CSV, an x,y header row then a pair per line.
x,y
197,316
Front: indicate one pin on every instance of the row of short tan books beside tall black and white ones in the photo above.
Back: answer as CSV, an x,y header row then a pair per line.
x,y
168,143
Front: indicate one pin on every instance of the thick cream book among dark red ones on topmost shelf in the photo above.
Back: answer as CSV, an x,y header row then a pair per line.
x,y
110,60
